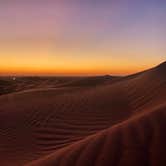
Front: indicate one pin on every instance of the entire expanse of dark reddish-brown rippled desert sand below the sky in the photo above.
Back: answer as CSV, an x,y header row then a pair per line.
x,y
84,121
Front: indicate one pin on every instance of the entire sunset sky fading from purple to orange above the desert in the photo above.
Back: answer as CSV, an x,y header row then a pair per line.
x,y
81,37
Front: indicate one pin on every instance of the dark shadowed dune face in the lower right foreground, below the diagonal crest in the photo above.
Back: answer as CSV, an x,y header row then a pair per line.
x,y
138,141
